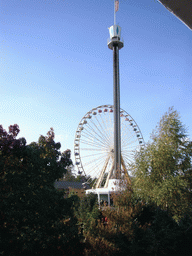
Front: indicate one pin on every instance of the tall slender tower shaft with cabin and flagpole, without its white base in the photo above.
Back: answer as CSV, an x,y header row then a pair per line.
x,y
115,44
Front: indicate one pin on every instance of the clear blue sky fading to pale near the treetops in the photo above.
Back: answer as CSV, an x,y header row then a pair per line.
x,y
56,66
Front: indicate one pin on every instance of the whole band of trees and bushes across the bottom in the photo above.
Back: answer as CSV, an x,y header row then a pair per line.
x,y
153,216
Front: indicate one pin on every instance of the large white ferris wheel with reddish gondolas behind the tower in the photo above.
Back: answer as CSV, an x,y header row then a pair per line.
x,y
94,143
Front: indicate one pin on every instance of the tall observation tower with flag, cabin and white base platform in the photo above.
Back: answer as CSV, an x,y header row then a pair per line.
x,y
113,180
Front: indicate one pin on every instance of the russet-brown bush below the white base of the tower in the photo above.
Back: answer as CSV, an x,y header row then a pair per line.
x,y
112,236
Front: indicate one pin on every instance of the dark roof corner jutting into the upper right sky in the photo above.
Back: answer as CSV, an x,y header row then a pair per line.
x,y
180,8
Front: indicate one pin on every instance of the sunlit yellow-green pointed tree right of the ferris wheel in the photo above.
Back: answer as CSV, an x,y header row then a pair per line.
x,y
162,170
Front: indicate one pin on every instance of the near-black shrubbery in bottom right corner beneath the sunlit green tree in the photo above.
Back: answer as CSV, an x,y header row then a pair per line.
x,y
157,233
